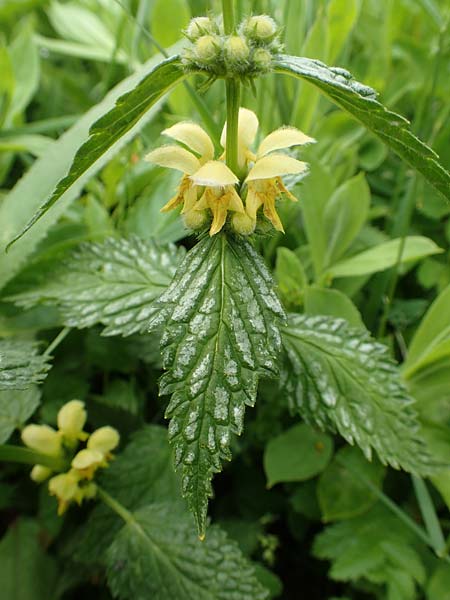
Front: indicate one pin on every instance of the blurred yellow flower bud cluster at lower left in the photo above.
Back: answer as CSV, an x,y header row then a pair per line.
x,y
76,484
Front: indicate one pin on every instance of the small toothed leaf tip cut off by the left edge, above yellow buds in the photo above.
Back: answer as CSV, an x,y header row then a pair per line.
x,y
21,364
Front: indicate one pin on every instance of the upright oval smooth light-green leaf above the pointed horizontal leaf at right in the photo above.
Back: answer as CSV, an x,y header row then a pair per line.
x,y
345,214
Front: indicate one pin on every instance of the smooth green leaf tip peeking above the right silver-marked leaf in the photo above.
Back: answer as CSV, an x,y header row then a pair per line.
x,y
324,301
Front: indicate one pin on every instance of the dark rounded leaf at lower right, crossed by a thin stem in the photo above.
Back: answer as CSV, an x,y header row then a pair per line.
x,y
341,494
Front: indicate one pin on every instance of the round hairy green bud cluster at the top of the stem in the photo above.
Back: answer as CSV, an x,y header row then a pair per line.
x,y
244,54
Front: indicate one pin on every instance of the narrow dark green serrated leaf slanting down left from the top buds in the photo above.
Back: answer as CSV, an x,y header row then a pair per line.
x,y
112,129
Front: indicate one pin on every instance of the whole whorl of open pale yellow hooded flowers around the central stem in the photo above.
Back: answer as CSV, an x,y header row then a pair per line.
x,y
208,186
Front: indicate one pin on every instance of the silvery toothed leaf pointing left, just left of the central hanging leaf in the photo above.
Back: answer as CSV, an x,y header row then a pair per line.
x,y
113,282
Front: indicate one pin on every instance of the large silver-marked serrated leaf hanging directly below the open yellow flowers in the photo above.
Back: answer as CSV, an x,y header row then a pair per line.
x,y
220,318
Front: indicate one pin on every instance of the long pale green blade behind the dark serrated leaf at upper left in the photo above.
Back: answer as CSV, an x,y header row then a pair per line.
x,y
33,189
